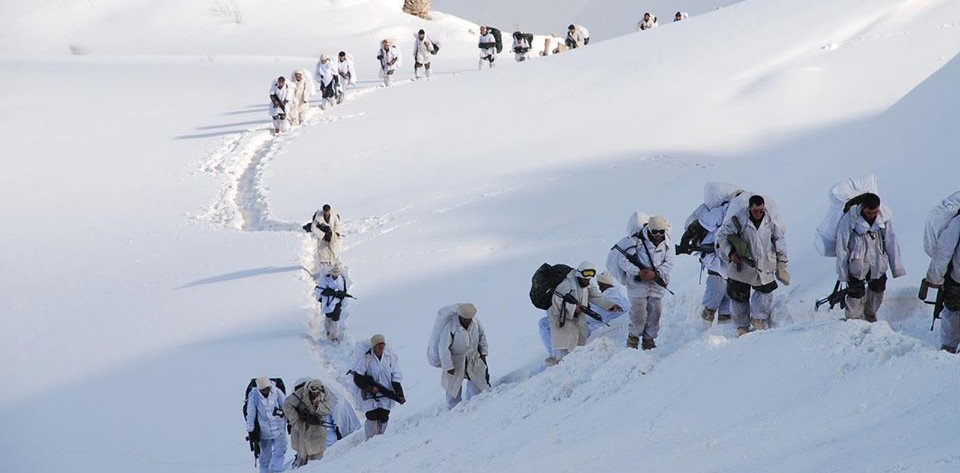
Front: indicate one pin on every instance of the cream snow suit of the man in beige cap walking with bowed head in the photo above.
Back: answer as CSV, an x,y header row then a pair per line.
x,y
463,350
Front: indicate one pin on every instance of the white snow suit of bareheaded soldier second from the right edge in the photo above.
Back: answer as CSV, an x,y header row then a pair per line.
x,y
864,253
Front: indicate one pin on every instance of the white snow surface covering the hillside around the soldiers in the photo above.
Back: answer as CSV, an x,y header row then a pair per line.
x,y
153,261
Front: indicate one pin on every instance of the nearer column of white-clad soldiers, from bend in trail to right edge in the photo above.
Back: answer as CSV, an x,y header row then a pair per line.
x,y
740,241
